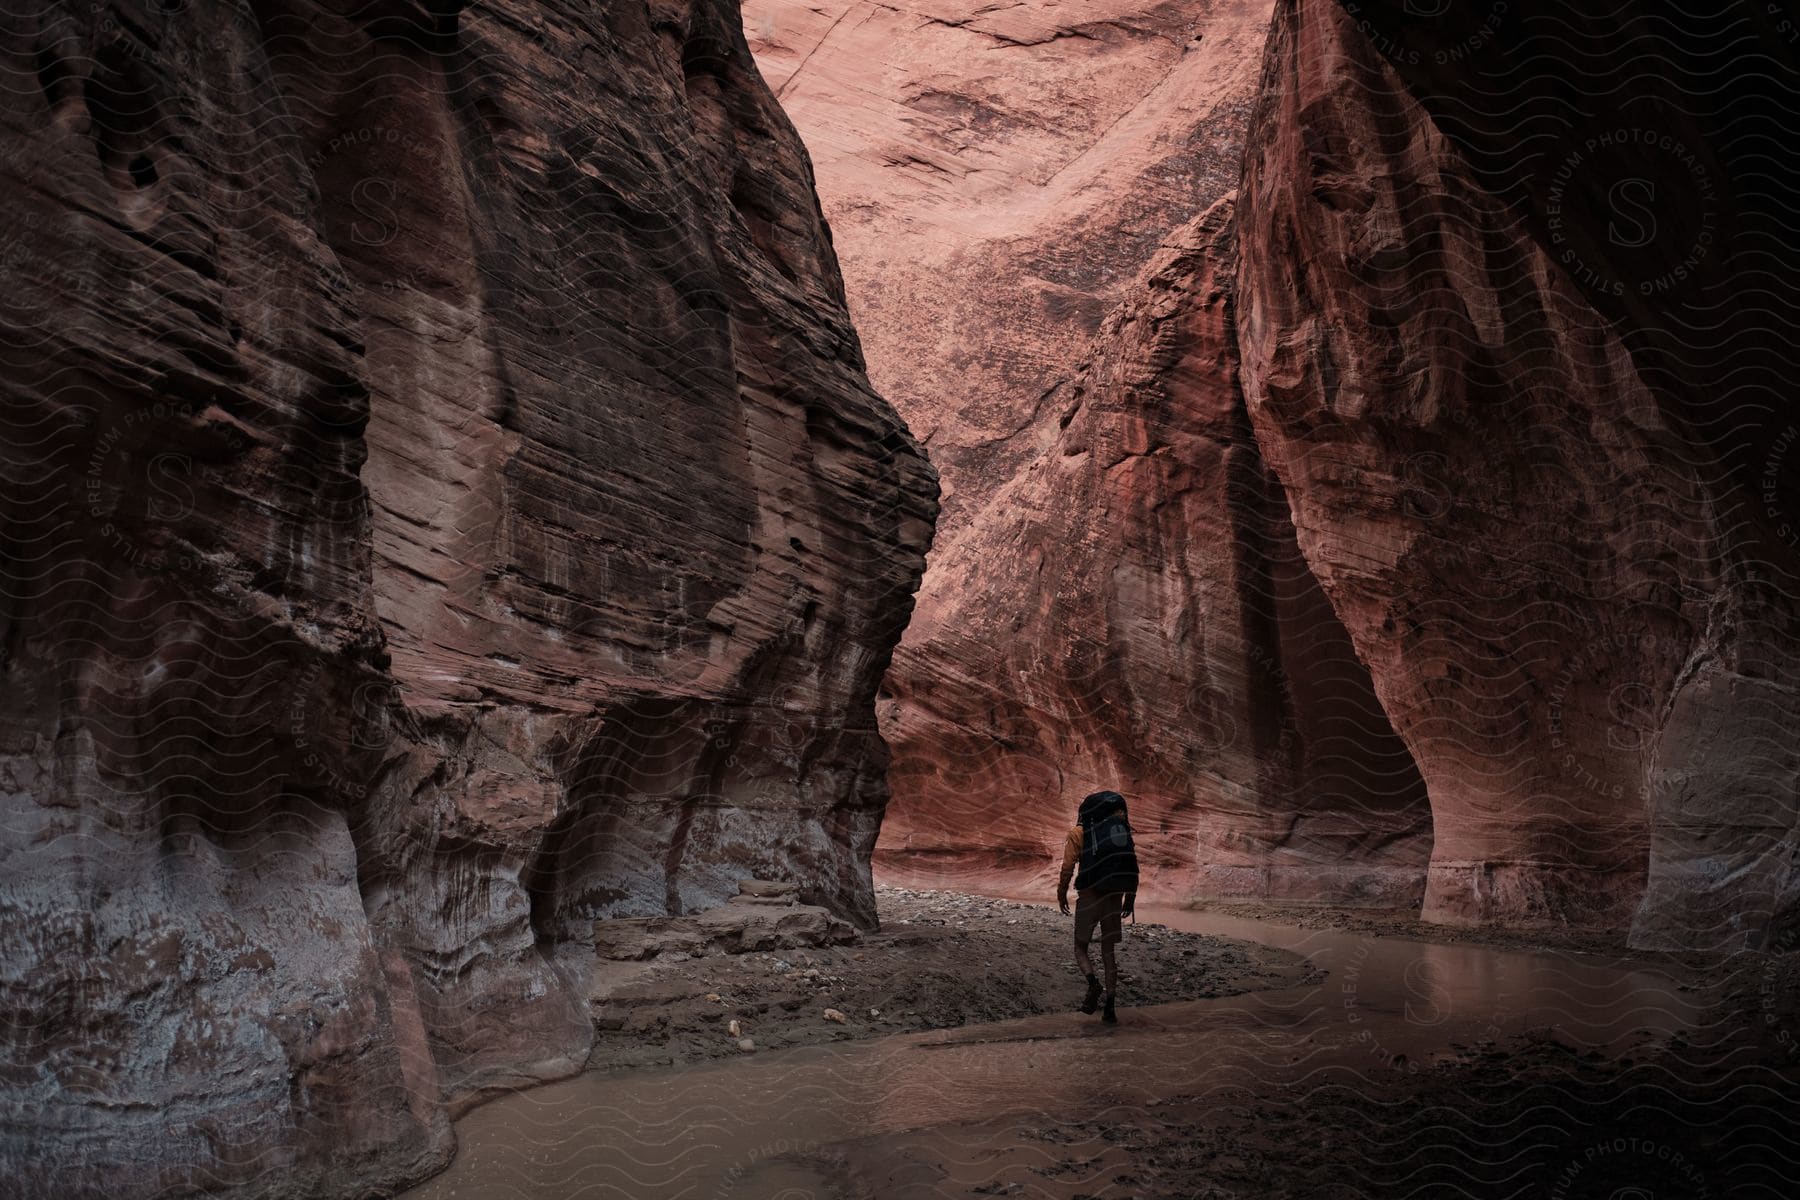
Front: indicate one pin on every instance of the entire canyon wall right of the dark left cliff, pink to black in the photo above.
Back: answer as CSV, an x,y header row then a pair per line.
x,y
1511,447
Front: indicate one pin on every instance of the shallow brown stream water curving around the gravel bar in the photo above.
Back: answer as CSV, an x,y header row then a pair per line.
x,y
944,1113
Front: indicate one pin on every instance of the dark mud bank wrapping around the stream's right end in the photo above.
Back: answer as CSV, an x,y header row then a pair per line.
x,y
1713,1113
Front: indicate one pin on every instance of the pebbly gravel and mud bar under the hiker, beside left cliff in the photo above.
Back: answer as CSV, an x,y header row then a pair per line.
x,y
940,960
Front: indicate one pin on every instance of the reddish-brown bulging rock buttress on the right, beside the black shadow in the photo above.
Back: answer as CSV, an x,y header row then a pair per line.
x,y
1540,559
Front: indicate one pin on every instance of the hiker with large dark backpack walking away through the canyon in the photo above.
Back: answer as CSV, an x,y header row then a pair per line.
x,y
1106,890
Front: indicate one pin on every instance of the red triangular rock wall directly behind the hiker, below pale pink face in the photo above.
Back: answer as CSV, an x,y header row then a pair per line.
x,y
1131,611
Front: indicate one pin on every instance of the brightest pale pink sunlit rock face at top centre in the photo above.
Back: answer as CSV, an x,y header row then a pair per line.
x,y
996,177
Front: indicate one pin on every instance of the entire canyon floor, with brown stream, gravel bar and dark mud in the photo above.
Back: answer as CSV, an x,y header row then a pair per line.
x,y
1264,1053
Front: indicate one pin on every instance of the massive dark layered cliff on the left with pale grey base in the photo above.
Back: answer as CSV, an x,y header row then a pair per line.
x,y
444,506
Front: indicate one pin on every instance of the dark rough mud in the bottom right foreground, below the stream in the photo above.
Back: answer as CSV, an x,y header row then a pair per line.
x,y
1531,1120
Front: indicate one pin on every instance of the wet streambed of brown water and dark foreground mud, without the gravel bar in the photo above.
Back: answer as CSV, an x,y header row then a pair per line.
x,y
1396,1068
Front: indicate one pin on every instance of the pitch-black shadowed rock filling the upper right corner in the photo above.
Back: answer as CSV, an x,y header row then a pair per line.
x,y
1651,190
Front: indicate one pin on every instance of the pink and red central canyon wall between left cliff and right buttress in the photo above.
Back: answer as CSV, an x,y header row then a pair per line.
x,y
1000,181
